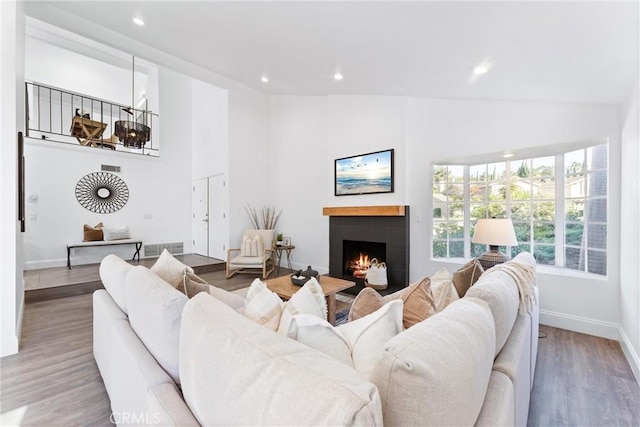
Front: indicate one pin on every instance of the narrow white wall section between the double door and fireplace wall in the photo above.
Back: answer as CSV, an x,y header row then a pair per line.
x,y
248,159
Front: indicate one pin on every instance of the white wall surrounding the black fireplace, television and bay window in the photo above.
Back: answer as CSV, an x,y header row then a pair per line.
x,y
424,132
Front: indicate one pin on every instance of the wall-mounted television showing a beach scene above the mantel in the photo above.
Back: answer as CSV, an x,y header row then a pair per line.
x,y
364,174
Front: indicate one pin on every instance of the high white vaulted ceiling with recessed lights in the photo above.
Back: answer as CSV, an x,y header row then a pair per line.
x,y
538,51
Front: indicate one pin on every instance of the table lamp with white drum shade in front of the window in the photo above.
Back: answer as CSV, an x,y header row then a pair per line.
x,y
494,232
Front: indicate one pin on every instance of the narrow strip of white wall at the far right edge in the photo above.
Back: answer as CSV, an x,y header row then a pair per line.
x,y
630,238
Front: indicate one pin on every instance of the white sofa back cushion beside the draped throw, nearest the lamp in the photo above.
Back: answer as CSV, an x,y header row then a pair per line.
x,y
498,289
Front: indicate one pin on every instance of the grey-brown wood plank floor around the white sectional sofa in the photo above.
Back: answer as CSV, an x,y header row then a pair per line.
x,y
580,380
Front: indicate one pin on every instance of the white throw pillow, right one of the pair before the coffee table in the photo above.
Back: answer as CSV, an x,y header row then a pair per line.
x,y
309,299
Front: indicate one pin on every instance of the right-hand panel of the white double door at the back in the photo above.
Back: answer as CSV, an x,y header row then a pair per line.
x,y
219,224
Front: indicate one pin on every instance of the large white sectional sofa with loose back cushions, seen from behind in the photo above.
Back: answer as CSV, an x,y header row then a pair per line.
x,y
167,360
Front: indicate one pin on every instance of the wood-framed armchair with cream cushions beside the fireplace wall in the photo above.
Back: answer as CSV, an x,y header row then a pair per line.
x,y
255,254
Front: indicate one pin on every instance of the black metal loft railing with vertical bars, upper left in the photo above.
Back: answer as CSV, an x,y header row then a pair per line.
x,y
63,116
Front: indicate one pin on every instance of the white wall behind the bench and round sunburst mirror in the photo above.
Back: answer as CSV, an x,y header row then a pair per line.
x,y
159,187
